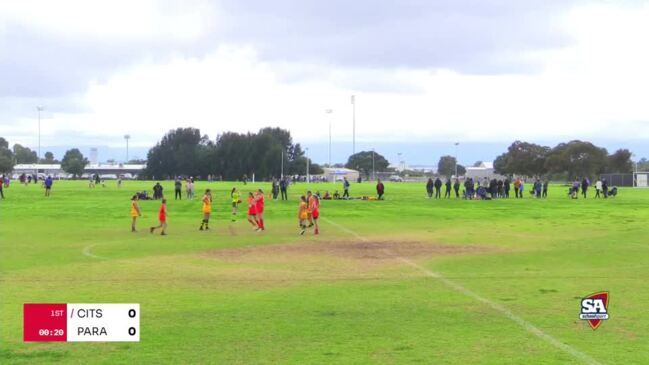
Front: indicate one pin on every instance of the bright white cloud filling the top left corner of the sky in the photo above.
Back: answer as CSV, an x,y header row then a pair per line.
x,y
115,20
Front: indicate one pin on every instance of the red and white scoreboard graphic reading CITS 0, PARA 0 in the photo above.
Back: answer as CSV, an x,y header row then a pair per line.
x,y
46,322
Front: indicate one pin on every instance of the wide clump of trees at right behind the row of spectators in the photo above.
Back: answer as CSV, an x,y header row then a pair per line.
x,y
570,160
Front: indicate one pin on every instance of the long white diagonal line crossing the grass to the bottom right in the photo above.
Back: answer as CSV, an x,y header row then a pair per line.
x,y
529,327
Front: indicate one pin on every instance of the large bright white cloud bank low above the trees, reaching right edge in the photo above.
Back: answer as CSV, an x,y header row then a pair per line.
x,y
584,91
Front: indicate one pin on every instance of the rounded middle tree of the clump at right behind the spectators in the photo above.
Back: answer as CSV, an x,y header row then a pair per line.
x,y
577,159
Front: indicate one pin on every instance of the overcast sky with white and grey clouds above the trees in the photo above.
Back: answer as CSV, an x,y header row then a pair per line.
x,y
421,70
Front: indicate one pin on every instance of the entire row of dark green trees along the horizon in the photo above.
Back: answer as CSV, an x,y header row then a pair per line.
x,y
231,156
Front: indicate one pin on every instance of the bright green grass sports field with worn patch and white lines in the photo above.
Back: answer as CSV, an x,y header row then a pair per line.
x,y
405,280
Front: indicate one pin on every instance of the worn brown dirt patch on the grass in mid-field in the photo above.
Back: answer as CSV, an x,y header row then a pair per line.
x,y
327,261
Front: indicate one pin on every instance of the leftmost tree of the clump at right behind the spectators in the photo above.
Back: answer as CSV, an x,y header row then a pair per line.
x,y
522,158
